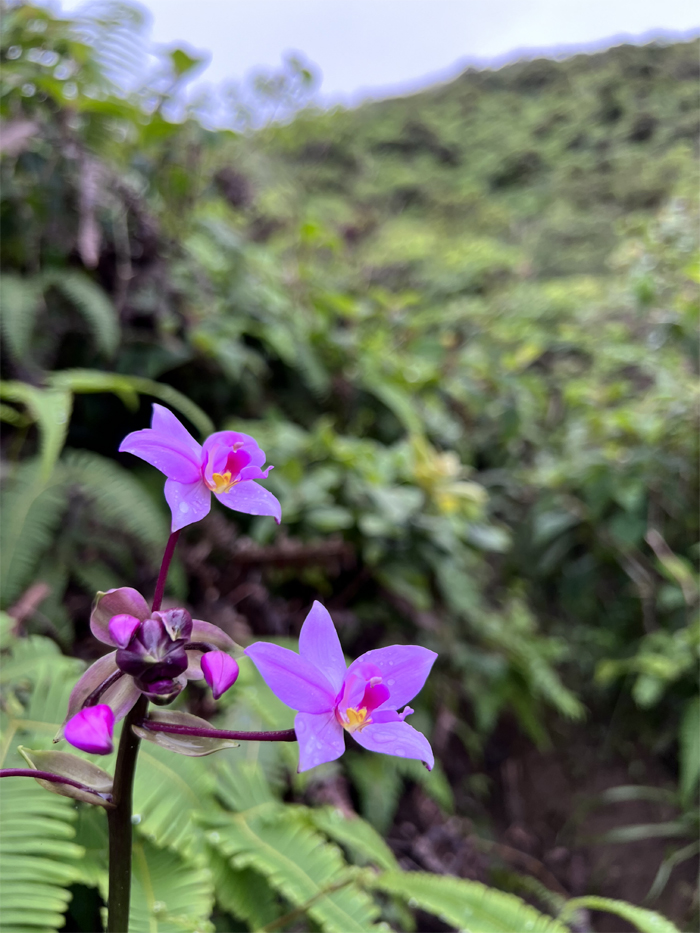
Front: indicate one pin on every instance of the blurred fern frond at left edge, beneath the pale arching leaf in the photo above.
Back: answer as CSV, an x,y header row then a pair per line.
x,y
29,516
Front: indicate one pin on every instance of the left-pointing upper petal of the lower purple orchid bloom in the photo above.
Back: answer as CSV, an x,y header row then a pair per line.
x,y
292,679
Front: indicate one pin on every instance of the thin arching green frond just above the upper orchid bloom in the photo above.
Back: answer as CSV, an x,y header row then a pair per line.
x,y
128,388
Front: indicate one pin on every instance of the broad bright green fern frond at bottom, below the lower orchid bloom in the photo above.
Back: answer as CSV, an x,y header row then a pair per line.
x,y
296,862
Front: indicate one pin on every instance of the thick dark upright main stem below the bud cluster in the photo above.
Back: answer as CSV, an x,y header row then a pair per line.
x,y
120,826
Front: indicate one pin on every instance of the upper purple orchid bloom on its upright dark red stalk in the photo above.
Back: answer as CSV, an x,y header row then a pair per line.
x,y
227,464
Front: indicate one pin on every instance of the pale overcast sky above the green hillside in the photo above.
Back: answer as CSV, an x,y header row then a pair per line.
x,y
379,47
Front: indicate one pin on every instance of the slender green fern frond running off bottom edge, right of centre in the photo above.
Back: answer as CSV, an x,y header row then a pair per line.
x,y
467,905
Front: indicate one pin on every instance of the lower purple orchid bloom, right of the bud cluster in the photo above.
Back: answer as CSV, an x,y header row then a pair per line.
x,y
363,699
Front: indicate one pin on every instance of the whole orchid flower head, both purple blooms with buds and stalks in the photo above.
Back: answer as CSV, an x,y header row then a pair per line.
x,y
157,652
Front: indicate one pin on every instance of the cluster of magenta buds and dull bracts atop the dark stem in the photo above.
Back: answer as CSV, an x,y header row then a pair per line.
x,y
156,654
